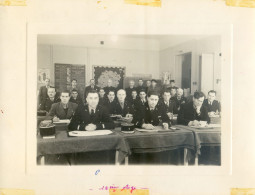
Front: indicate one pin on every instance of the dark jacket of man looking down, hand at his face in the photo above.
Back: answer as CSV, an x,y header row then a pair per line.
x,y
188,113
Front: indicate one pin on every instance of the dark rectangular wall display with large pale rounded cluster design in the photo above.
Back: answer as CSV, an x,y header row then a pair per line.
x,y
102,74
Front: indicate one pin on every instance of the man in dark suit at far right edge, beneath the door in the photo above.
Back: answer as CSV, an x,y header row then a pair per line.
x,y
213,106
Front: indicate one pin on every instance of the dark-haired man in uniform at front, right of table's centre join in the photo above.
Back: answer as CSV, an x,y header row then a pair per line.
x,y
151,115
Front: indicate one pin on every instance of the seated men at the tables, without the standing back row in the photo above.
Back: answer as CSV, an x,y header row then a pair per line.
x,y
147,111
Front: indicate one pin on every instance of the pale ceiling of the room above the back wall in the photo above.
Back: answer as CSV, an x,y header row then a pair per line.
x,y
140,42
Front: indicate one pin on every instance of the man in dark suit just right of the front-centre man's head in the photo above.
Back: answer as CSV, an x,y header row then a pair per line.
x,y
168,104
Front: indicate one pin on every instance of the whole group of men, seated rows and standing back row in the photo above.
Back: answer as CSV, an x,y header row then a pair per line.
x,y
146,107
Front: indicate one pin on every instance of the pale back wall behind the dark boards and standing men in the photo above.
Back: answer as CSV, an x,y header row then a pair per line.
x,y
135,61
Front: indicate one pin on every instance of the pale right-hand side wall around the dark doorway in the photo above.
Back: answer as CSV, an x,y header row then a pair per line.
x,y
197,47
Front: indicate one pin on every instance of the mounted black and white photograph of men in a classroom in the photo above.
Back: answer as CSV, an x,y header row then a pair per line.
x,y
129,100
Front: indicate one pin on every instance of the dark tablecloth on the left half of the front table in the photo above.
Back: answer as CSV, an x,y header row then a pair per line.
x,y
64,144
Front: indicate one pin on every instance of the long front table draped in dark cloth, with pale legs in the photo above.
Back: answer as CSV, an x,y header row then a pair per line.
x,y
186,138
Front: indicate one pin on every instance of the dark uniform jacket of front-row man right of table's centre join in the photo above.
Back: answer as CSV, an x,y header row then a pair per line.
x,y
145,115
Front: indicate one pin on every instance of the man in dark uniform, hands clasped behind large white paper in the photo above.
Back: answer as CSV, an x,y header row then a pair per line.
x,y
91,116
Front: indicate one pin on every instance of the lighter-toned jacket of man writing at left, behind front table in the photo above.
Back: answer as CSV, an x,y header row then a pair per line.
x,y
58,110
